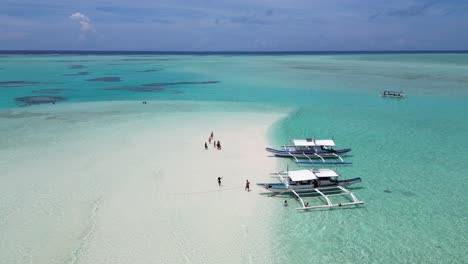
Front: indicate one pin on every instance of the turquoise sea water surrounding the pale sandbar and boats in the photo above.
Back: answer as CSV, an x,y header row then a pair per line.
x,y
409,152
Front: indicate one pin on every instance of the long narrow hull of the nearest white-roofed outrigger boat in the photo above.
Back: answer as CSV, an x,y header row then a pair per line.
x,y
283,187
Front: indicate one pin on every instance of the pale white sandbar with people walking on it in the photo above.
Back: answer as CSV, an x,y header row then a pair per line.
x,y
122,186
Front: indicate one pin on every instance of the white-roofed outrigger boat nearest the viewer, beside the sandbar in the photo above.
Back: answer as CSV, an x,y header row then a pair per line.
x,y
315,183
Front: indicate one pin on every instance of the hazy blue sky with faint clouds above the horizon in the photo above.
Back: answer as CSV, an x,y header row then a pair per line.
x,y
235,25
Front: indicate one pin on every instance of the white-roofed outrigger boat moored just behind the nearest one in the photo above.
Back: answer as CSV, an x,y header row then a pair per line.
x,y
311,148
